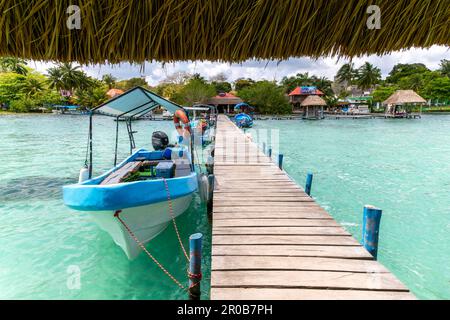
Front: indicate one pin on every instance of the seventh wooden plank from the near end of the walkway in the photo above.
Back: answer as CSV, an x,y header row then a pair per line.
x,y
275,223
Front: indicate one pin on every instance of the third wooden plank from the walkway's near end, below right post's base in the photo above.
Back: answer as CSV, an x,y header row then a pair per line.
x,y
241,263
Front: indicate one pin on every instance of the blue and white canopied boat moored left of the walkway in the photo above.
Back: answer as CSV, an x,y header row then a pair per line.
x,y
146,190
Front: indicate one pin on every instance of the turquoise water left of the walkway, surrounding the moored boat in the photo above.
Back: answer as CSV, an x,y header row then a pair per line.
x,y
41,239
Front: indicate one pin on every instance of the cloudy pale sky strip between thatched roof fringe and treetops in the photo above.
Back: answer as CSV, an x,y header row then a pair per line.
x,y
259,70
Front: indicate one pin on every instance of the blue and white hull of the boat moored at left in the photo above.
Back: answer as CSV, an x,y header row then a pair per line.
x,y
143,205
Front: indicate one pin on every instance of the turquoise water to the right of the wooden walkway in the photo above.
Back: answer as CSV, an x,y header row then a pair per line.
x,y
401,166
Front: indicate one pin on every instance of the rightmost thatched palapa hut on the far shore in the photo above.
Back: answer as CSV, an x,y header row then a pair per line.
x,y
399,104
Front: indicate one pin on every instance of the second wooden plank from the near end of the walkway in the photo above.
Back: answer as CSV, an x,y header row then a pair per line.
x,y
306,279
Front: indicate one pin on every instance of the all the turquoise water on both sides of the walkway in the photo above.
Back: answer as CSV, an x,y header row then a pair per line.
x,y
402,166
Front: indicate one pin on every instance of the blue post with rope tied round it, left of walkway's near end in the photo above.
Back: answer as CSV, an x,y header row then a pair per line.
x,y
195,265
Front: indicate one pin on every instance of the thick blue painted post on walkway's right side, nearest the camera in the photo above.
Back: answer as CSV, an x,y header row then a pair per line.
x,y
371,227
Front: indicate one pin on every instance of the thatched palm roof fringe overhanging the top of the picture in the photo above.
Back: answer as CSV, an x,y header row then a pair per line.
x,y
226,30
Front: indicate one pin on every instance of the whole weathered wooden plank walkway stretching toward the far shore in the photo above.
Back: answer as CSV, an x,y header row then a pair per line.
x,y
270,240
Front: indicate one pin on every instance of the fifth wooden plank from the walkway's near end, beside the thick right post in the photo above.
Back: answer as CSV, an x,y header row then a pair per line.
x,y
283,239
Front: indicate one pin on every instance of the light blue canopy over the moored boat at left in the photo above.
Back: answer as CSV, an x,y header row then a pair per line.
x,y
135,102
